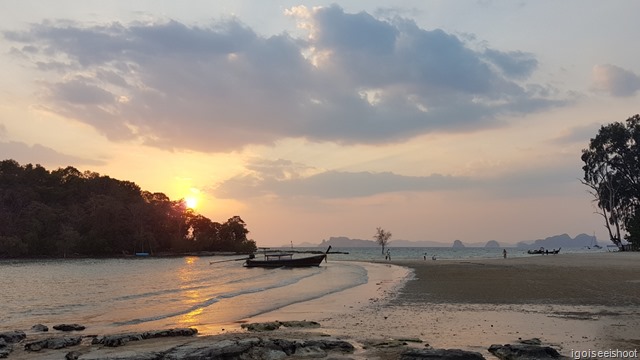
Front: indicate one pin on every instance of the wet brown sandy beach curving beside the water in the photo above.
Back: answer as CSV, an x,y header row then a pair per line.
x,y
573,302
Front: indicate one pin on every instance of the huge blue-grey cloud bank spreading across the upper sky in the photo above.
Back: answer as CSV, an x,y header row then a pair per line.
x,y
354,79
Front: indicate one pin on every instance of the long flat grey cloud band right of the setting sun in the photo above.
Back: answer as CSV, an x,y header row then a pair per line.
x,y
286,180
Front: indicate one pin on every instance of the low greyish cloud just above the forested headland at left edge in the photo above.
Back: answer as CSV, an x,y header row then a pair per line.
x,y
38,154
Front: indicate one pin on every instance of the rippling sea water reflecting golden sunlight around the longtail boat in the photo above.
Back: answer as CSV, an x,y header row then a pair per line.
x,y
206,292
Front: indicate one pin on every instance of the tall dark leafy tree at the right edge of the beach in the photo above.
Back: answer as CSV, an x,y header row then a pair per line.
x,y
612,172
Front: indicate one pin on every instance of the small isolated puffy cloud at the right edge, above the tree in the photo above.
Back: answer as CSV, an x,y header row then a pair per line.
x,y
615,80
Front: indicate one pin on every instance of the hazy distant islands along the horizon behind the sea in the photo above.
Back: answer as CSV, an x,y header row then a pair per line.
x,y
556,241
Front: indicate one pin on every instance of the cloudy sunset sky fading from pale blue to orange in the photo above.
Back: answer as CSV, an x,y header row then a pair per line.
x,y
435,120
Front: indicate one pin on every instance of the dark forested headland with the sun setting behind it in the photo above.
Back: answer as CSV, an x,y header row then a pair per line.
x,y
68,213
